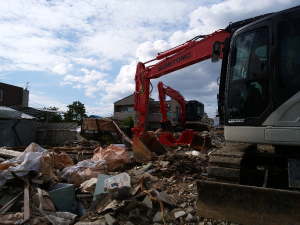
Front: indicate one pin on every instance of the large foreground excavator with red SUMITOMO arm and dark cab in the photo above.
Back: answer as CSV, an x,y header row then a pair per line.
x,y
258,103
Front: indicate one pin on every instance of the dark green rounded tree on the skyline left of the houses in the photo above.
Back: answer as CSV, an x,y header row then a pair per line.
x,y
75,113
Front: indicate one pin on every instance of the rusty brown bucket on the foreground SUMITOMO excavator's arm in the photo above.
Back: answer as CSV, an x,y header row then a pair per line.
x,y
146,147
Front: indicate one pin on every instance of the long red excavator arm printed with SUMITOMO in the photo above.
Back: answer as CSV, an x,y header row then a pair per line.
x,y
184,55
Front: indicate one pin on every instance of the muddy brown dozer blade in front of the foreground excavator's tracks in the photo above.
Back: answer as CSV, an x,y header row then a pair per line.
x,y
247,205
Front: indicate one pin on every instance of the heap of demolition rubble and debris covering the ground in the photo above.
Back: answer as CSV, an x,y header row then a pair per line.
x,y
85,183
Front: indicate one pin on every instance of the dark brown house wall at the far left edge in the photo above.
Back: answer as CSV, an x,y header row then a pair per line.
x,y
11,95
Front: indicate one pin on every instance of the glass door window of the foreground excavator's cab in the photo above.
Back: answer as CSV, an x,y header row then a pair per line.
x,y
249,82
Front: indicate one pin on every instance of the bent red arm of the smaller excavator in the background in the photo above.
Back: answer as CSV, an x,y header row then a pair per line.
x,y
163,91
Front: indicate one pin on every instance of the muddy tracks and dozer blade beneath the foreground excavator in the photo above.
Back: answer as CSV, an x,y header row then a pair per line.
x,y
248,184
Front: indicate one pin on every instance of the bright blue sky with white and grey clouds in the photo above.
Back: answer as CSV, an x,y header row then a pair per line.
x,y
87,50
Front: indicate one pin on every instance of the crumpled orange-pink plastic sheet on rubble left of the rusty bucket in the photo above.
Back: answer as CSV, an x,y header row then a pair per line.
x,y
114,156
